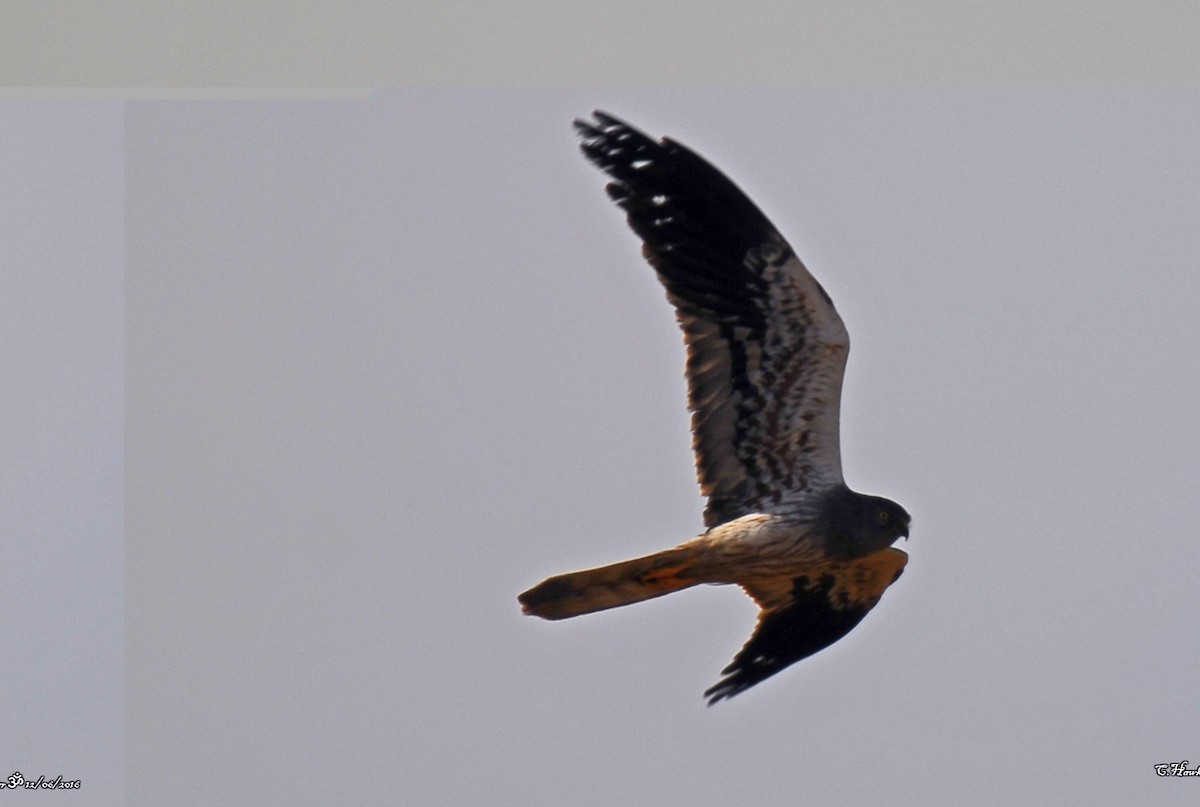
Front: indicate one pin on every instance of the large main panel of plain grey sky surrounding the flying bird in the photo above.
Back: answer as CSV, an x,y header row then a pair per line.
x,y
391,362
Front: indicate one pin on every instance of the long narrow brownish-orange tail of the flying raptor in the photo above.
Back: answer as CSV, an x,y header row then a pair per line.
x,y
610,587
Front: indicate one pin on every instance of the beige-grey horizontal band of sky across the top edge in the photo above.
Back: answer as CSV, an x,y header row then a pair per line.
x,y
311,44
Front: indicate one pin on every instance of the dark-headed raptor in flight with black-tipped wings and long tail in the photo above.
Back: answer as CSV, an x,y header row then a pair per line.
x,y
766,357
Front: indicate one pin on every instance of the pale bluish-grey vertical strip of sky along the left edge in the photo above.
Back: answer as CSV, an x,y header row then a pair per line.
x,y
62,431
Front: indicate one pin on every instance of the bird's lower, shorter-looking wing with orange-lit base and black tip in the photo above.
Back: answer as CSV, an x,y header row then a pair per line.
x,y
806,615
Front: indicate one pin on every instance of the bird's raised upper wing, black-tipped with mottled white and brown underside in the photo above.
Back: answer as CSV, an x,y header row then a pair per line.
x,y
766,349
